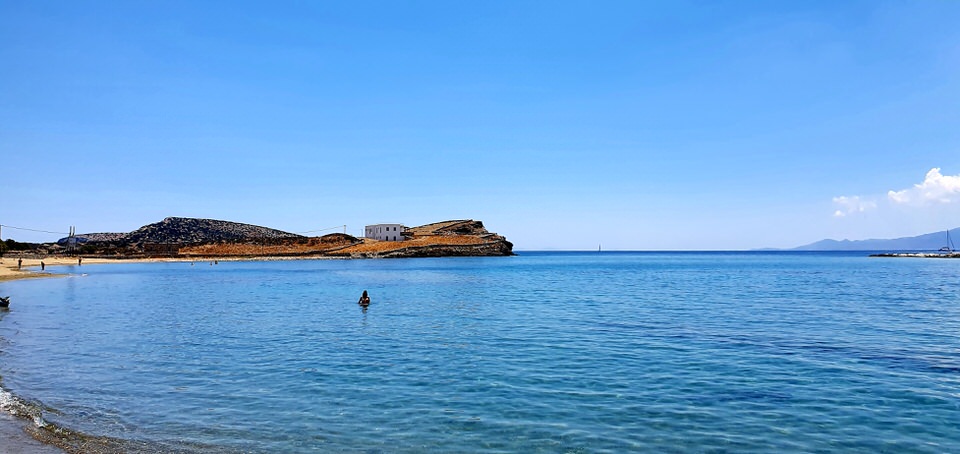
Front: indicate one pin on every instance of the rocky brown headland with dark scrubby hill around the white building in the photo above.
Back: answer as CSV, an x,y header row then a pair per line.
x,y
187,238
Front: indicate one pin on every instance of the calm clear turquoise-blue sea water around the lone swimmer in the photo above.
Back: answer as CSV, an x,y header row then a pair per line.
x,y
543,352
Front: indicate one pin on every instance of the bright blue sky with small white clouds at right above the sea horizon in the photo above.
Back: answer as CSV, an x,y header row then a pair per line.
x,y
562,125
